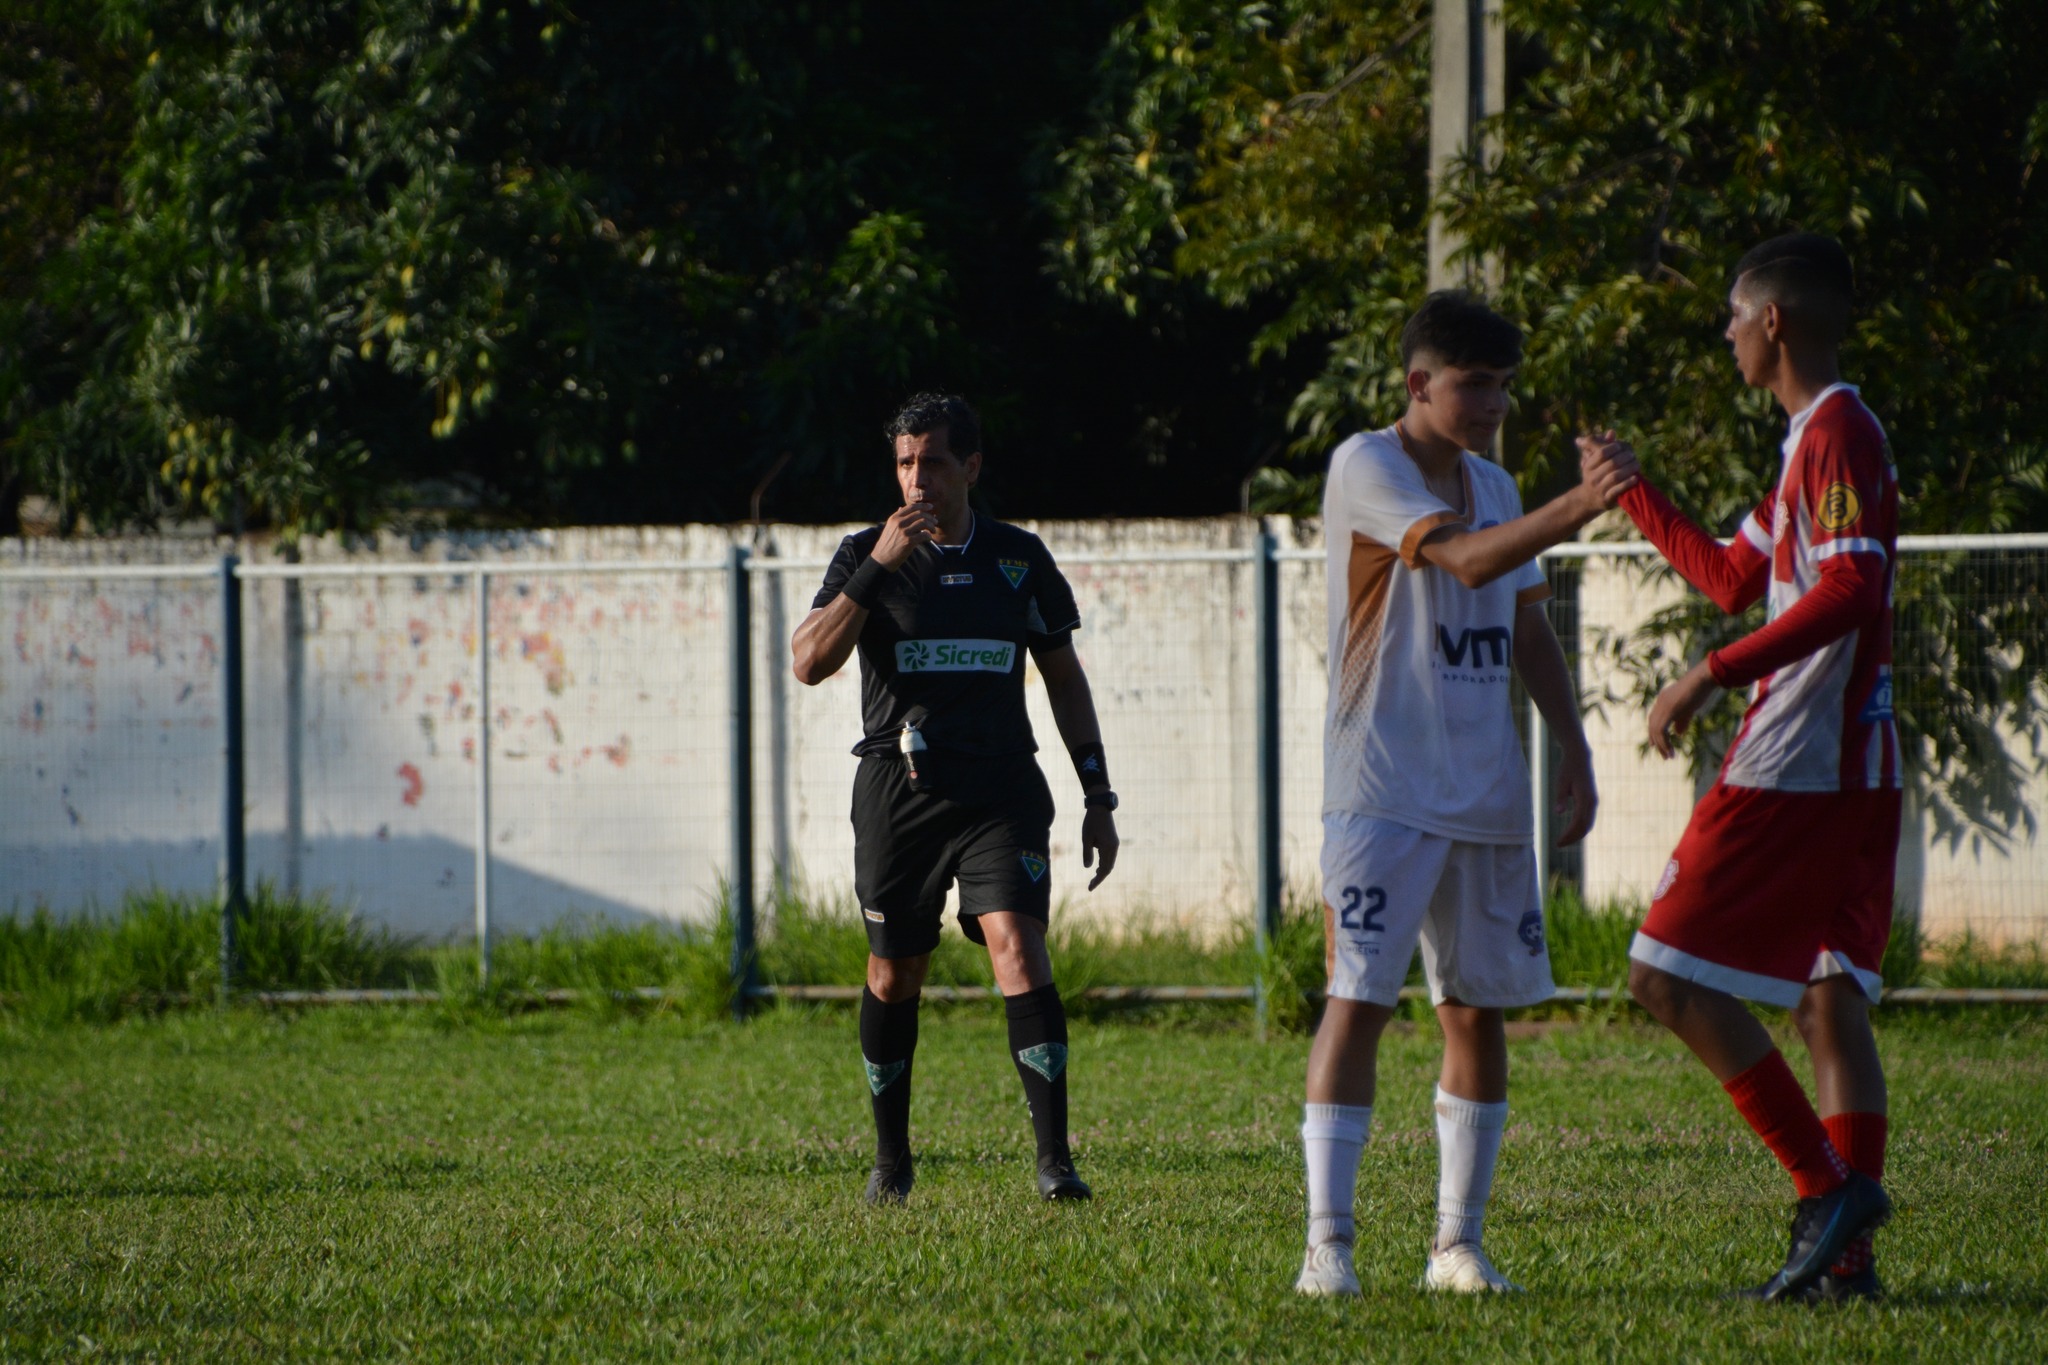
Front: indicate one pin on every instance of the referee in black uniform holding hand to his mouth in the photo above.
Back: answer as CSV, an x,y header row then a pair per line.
x,y
943,607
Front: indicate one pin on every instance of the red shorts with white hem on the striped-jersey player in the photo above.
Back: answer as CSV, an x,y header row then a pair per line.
x,y
1770,891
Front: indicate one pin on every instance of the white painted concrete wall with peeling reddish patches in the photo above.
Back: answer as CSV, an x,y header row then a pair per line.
x,y
609,711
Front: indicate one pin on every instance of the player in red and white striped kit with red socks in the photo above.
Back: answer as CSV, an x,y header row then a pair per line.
x,y
1781,889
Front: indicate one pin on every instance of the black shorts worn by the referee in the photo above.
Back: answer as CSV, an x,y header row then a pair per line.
x,y
988,826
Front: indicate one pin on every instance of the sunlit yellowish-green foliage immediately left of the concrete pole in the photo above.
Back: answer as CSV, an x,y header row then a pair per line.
x,y
1267,155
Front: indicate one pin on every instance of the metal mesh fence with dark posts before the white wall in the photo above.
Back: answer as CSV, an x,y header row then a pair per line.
x,y
591,766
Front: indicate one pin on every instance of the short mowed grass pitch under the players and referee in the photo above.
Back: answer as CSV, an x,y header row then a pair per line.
x,y
583,1188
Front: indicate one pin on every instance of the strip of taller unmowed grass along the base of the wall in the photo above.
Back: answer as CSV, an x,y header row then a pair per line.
x,y
159,951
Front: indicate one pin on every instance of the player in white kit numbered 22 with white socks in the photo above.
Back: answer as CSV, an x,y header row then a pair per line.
x,y
1435,597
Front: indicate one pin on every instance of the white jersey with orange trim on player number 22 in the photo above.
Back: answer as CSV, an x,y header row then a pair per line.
x,y
1418,725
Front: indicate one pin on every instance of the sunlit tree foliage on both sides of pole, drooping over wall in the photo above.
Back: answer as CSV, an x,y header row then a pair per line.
x,y
1646,146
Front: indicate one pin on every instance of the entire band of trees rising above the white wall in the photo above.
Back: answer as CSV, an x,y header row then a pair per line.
x,y
329,263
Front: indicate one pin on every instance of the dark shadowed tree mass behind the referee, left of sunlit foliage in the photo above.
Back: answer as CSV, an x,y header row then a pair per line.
x,y
318,261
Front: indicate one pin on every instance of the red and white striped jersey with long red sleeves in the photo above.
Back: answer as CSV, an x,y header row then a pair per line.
x,y
1824,549
